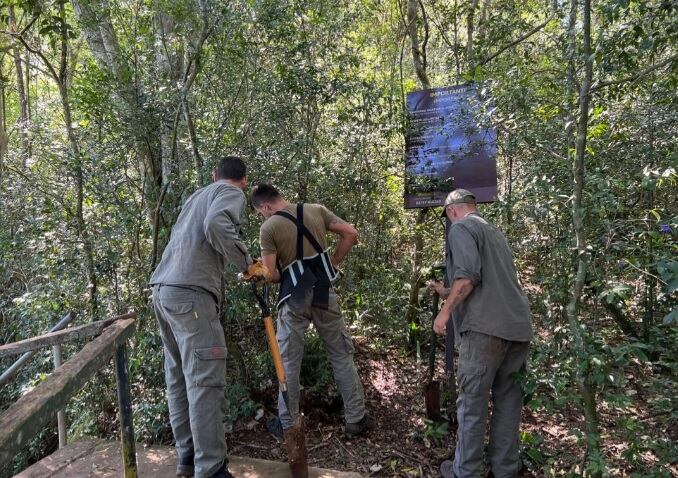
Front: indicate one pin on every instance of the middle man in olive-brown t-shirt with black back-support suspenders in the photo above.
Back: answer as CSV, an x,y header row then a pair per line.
x,y
278,237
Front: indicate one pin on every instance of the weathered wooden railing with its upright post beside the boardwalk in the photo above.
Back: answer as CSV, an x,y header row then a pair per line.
x,y
34,410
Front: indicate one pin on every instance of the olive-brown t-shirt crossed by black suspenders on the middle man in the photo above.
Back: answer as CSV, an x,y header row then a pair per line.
x,y
278,235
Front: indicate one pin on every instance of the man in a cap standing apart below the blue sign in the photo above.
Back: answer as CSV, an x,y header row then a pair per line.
x,y
492,318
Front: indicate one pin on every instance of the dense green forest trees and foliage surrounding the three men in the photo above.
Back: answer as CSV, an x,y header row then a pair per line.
x,y
113,112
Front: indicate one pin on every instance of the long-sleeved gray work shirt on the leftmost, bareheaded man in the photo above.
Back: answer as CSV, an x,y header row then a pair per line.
x,y
205,236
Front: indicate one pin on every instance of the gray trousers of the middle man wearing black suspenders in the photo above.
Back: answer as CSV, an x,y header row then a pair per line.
x,y
292,324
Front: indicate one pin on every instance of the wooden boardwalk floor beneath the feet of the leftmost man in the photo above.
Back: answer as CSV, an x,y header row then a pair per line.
x,y
101,459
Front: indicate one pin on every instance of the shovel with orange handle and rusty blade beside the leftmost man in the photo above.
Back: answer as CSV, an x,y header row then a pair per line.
x,y
295,439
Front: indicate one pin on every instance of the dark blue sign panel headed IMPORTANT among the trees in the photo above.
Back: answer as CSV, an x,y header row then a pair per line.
x,y
448,146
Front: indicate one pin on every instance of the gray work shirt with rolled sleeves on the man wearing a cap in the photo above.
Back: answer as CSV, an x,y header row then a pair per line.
x,y
497,305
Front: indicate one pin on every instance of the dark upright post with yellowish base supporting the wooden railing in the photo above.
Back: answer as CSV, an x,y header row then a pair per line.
x,y
129,454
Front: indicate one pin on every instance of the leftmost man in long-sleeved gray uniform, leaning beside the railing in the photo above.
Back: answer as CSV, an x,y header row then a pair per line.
x,y
186,288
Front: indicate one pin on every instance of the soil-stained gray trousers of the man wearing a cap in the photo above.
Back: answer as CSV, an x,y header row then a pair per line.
x,y
488,364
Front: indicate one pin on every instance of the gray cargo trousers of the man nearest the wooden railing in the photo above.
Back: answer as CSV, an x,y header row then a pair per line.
x,y
195,374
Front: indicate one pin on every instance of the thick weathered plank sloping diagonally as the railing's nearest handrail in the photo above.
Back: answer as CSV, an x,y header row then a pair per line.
x,y
28,415
